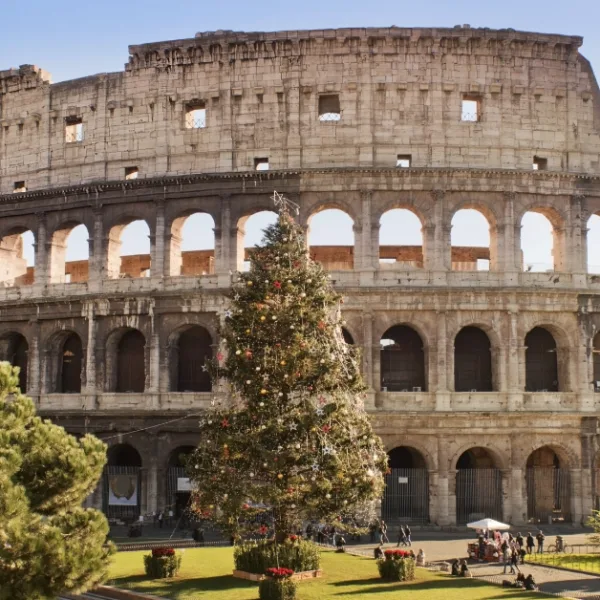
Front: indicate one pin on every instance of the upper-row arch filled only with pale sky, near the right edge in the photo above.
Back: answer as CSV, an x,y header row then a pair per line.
x,y
537,243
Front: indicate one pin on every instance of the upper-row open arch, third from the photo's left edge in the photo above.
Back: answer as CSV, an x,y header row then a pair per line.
x,y
129,250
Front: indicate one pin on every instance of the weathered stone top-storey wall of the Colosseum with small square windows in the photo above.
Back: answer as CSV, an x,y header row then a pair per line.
x,y
400,93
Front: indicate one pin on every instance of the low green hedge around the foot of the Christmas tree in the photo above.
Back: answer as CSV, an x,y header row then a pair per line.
x,y
257,557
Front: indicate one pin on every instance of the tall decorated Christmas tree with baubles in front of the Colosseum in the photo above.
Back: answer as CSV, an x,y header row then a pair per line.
x,y
294,442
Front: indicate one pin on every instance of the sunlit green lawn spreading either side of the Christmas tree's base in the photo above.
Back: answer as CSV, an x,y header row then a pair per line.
x,y
206,574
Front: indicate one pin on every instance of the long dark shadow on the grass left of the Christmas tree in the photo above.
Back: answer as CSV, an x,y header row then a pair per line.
x,y
204,584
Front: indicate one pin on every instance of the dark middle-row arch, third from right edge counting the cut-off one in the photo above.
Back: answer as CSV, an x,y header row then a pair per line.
x,y
472,361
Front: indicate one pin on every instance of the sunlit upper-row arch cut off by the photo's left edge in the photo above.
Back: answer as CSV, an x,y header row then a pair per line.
x,y
17,254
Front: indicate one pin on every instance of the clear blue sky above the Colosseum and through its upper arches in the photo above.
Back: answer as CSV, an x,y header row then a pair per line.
x,y
75,39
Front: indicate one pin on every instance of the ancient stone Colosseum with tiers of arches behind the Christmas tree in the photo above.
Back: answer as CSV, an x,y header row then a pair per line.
x,y
482,369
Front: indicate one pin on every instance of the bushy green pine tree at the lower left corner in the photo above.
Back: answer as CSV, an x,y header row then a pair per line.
x,y
48,543
